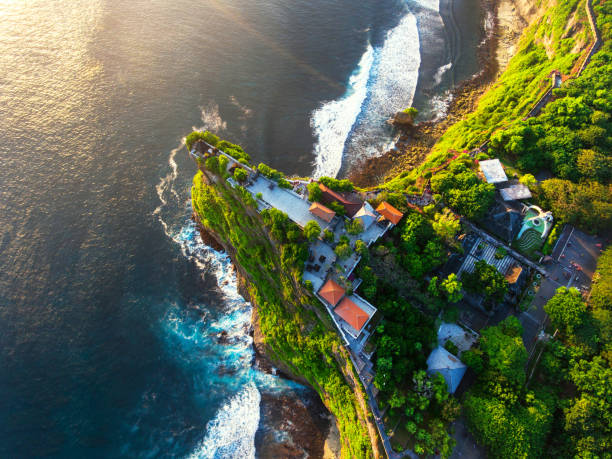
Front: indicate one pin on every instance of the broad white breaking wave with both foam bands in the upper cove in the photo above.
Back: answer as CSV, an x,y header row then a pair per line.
x,y
384,82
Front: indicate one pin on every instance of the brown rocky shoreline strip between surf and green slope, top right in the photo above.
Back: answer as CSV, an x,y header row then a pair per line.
x,y
415,142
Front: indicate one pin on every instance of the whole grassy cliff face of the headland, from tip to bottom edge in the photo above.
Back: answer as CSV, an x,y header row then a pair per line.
x,y
291,329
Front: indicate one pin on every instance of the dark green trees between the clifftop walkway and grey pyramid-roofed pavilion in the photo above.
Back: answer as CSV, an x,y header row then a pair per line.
x,y
419,403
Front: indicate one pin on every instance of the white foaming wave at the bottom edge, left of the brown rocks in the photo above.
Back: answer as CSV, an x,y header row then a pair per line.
x,y
231,433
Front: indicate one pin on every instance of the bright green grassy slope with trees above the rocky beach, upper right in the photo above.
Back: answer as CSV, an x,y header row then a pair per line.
x,y
569,141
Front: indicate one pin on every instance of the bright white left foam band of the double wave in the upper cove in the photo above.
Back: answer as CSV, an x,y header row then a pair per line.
x,y
333,121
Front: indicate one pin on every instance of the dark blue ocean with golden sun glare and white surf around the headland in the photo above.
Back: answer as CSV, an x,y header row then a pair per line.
x,y
121,333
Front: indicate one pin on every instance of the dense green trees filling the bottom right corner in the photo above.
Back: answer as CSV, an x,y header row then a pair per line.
x,y
568,414
